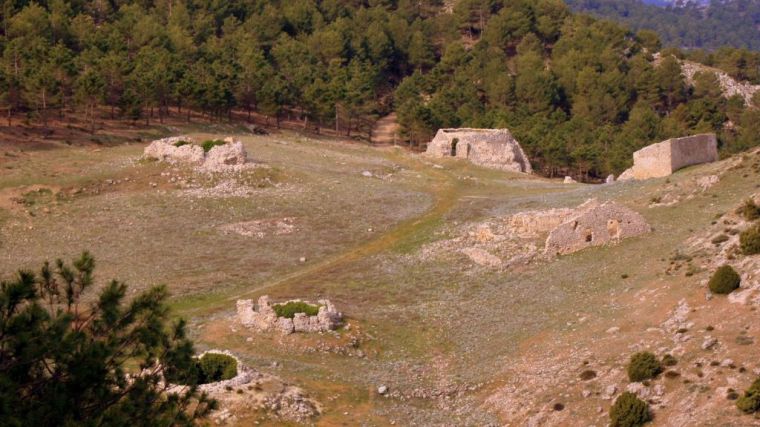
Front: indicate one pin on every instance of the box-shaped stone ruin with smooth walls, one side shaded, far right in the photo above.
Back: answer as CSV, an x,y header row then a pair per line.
x,y
664,158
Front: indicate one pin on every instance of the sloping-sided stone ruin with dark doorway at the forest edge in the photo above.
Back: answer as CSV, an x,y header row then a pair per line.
x,y
491,148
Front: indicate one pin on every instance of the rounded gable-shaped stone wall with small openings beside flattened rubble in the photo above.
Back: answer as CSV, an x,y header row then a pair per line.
x,y
595,224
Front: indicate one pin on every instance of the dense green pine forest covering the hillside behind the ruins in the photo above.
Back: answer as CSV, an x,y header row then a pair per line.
x,y
579,93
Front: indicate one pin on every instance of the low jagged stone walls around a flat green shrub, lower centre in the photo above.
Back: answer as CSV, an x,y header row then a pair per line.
x,y
263,318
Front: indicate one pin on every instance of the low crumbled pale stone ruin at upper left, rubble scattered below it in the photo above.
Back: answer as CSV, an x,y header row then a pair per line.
x,y
230,156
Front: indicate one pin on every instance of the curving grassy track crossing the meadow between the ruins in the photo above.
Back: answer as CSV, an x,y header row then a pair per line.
x,y
446,192
